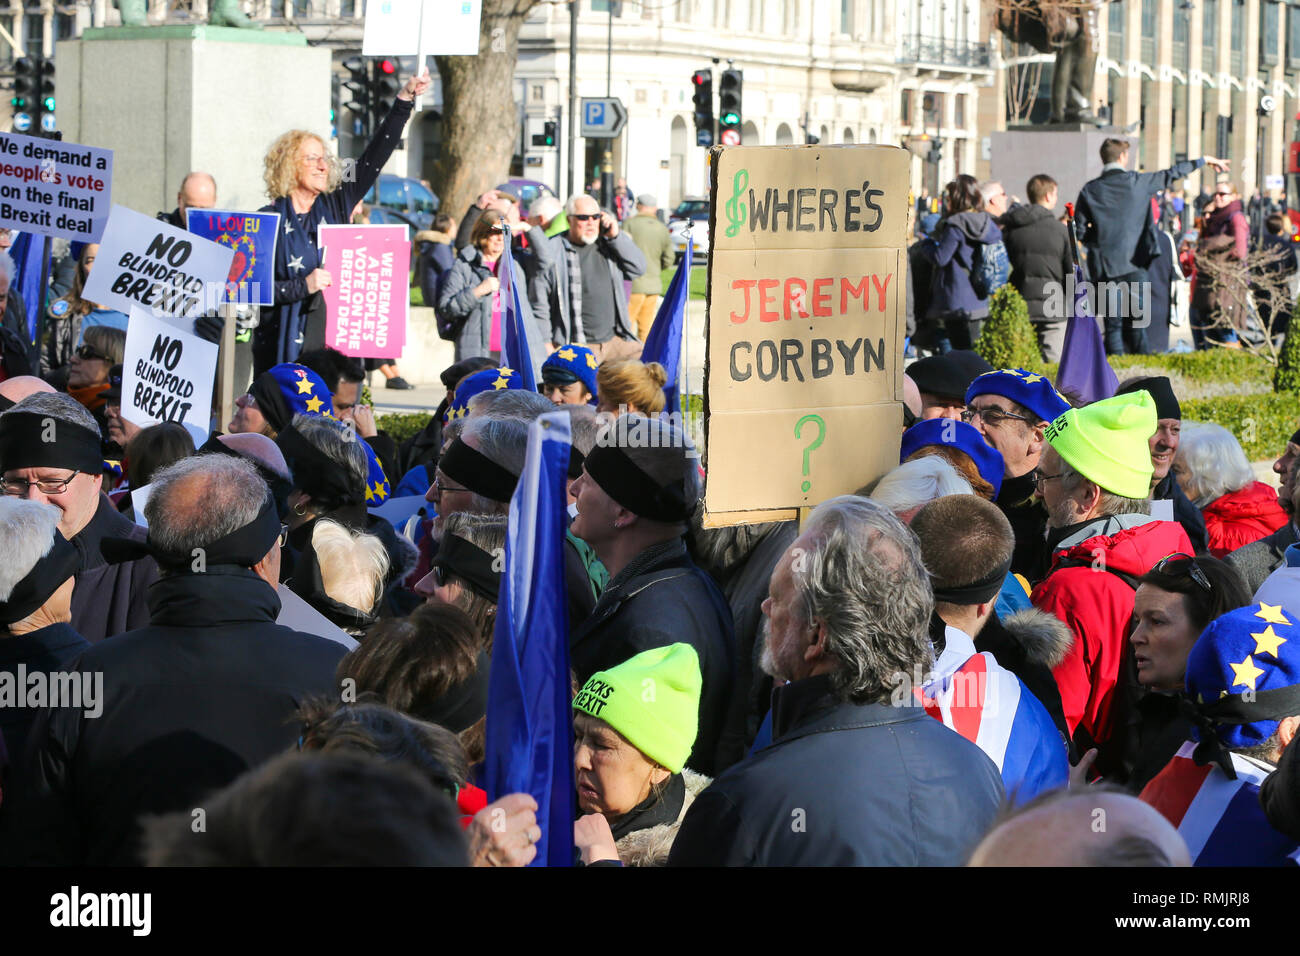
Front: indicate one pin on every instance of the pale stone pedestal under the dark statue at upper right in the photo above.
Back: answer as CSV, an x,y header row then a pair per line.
x,y
1069,153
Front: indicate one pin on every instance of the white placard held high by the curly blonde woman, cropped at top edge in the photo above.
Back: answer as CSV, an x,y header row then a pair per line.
x,y
393,28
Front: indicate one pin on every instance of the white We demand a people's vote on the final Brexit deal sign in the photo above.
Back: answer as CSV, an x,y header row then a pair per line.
x,y
54,188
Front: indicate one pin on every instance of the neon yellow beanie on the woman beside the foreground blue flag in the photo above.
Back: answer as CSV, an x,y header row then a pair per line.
x,y
653,700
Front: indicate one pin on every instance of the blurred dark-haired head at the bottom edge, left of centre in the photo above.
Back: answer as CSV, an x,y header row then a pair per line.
x,y
330,810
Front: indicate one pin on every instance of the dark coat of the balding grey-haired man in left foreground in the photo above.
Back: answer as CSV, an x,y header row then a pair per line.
x,y
189,703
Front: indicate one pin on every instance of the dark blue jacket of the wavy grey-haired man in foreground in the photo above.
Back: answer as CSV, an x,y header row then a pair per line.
x,y
846,785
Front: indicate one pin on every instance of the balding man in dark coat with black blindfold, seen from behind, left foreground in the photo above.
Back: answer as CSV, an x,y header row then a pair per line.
x,y
233,677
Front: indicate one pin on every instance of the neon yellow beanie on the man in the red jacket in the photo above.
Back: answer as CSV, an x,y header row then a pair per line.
x,y
1107,443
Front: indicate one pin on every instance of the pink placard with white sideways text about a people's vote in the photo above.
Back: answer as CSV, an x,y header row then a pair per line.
x,y
367,304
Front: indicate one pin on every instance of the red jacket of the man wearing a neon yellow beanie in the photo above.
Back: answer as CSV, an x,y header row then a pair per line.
x,y
1099,607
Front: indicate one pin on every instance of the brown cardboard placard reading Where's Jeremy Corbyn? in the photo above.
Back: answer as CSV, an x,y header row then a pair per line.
x,y
807,299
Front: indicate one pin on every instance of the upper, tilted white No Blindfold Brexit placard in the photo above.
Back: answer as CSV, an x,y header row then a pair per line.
x,y
150,266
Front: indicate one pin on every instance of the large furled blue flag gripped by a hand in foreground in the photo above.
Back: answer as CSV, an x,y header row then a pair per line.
x,y
530,734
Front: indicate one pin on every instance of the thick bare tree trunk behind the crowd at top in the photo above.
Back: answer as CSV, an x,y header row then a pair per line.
x,y
480,120
